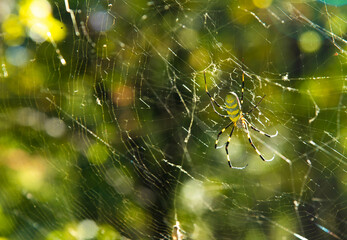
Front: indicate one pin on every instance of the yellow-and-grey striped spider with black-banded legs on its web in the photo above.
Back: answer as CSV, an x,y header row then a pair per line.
x,y
233,107
